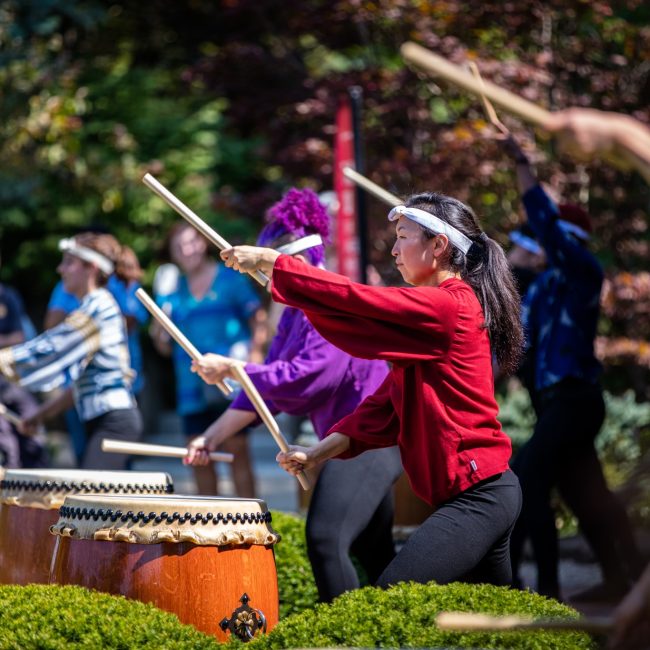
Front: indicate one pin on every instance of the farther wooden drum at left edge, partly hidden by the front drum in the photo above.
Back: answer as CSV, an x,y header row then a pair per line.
x,y
29,503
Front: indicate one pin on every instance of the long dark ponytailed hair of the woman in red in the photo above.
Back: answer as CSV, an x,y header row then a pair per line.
x,y
486,270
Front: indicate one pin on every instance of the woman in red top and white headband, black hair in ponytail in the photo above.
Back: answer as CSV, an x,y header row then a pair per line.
x,y
437,403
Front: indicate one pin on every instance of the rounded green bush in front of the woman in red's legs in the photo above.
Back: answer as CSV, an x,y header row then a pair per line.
x,y
403,616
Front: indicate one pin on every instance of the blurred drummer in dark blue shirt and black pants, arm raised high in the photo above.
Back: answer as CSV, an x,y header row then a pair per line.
x,y
560,314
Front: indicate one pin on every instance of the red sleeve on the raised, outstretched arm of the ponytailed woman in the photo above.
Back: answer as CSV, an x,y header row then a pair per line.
x,y
395,324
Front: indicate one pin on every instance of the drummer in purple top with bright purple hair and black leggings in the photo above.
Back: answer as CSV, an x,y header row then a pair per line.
x,y
351,510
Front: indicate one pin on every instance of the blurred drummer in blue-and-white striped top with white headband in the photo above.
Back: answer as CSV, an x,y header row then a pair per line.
x,y
89,347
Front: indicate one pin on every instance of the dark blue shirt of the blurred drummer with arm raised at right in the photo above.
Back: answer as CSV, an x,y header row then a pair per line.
x,y
561,307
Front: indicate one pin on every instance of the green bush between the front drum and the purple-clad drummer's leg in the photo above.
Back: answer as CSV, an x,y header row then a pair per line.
x,y
295,579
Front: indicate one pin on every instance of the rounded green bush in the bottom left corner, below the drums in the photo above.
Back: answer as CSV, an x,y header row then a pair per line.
x,y
51,617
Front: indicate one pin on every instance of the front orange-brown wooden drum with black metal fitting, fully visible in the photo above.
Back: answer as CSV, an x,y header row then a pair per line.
x,y
210,561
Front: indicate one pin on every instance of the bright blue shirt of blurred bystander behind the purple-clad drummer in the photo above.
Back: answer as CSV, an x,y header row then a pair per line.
x,y
215,323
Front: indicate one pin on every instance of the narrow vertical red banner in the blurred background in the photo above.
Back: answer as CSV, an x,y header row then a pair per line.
x,y
347,240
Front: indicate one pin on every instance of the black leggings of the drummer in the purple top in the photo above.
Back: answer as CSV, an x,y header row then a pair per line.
x,y
351,511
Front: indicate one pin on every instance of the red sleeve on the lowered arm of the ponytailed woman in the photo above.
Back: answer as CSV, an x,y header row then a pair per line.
x,y
373,424
